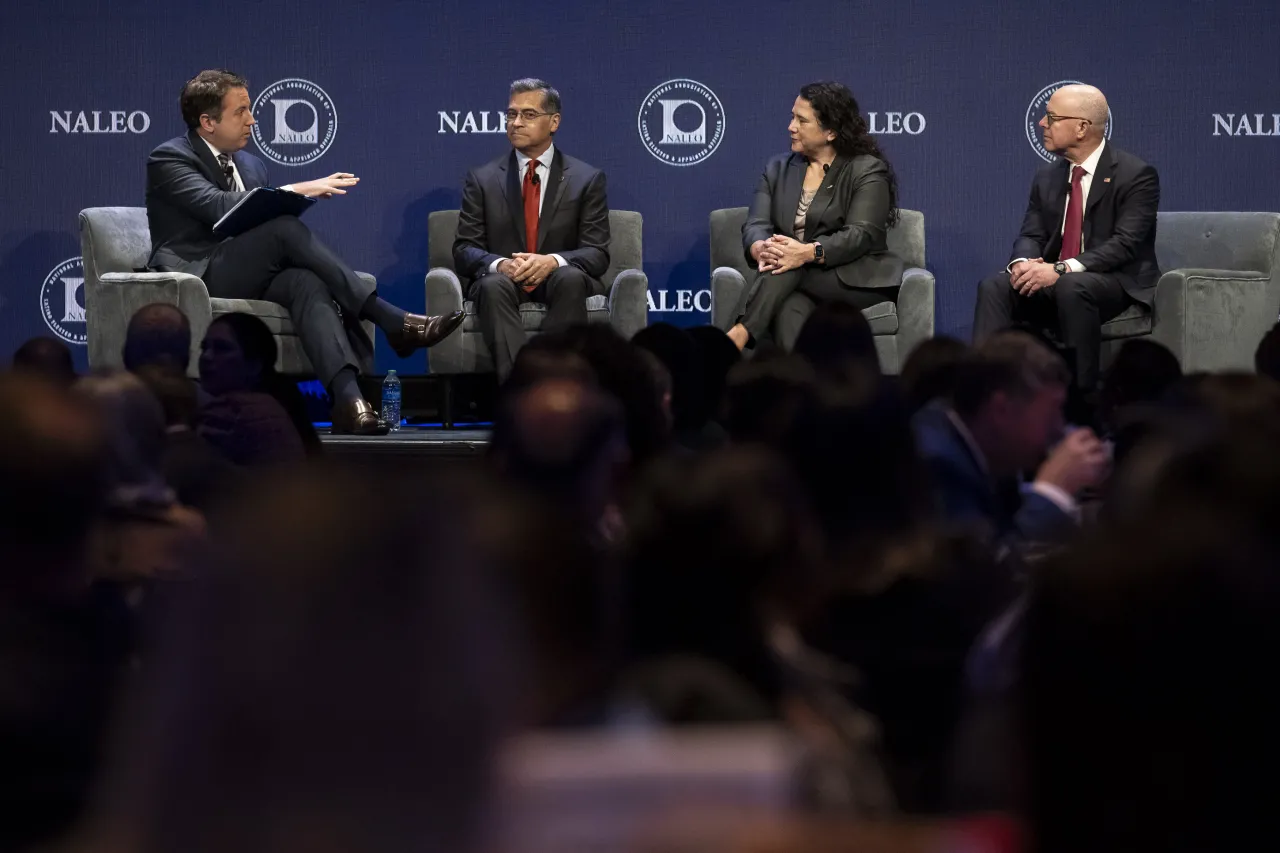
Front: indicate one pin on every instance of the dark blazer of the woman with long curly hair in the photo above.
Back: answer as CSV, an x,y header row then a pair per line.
x,y
849,217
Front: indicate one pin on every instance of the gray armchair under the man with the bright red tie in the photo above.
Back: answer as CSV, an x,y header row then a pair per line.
x,y
627,307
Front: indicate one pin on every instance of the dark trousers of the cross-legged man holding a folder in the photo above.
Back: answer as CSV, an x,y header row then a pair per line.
x,y
282,262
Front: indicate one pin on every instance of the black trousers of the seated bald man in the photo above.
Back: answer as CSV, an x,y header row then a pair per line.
x,y
1073,311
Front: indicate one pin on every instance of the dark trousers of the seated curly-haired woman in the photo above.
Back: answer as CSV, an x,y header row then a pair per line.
x,y
770,293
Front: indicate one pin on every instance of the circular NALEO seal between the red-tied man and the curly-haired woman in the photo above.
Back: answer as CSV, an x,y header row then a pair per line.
x,y
682,122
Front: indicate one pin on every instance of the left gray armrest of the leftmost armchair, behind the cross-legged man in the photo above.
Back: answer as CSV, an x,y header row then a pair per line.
x,y
112,300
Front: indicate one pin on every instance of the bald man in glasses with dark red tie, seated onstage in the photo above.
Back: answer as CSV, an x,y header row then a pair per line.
x,y
1089,243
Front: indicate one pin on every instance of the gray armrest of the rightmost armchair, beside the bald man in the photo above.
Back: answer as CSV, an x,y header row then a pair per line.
x,y
1213,320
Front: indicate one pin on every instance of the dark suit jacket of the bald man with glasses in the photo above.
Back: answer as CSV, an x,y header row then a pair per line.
x,y
1119,220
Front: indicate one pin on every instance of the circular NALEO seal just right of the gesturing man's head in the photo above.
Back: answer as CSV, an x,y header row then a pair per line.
x,y
296,122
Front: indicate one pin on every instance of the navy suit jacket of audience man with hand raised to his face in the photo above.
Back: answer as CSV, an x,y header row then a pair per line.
x,y
966,494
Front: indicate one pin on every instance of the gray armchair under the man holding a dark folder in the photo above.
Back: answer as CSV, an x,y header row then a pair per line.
x,y
116,243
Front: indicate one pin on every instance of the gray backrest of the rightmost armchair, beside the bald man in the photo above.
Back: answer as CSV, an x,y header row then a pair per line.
x,y
1212,240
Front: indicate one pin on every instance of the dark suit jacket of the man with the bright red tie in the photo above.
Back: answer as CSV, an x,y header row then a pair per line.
x,y
574,222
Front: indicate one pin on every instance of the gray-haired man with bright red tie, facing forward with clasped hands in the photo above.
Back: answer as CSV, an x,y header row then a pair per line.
x,y
534,227
